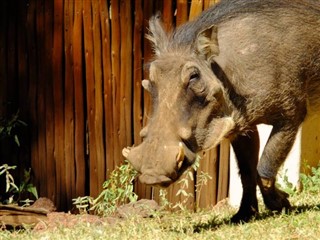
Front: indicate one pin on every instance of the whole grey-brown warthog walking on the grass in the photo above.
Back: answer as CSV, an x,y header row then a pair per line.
x,y
241,63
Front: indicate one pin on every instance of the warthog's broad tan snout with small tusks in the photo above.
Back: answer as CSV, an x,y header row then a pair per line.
x,y
175,158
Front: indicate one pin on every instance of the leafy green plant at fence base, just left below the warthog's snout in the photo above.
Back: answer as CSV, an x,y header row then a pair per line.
x,y
117,190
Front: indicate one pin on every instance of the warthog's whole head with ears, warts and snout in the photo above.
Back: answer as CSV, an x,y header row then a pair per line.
x,y
189,113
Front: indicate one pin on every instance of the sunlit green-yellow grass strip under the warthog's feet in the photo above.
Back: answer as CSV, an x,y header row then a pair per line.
x,y
301,223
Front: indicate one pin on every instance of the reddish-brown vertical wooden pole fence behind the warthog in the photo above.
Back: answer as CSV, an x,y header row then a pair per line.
x,y
74,68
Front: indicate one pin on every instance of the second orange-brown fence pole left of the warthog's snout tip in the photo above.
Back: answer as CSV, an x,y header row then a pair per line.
x,y
107,84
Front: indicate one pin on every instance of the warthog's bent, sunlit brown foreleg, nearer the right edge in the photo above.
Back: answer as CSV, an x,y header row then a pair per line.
x,y
275,152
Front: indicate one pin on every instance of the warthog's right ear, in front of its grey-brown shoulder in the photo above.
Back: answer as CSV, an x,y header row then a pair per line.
x,y
207,42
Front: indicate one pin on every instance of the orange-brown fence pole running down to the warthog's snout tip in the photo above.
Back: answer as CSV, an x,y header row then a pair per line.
x,y
125,76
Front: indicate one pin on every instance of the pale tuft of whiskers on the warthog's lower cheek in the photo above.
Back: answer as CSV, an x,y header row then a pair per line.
x,y
218,130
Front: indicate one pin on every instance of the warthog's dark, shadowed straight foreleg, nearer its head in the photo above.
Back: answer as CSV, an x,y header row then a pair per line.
x,y
246,149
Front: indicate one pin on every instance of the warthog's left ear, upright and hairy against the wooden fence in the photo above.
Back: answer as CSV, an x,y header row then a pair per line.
x,y
157,35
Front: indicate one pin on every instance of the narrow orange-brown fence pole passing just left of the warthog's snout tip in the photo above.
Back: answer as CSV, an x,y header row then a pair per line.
x,y
115,60
